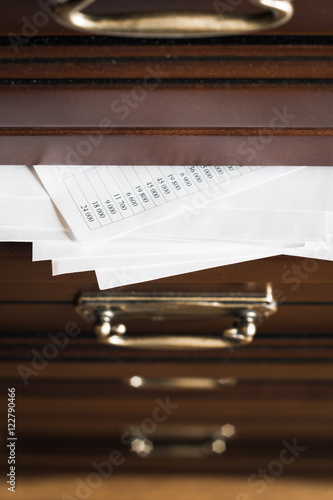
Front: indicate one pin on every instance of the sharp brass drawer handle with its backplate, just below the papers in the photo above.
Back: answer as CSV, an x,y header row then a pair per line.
x,y
248,310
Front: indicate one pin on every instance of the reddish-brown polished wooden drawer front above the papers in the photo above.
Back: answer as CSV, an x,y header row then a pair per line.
x,y
190,102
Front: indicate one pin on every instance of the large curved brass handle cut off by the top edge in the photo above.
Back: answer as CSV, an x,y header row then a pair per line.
x,y
173,24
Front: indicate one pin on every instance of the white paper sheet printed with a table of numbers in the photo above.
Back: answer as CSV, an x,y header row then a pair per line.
x,y
99,202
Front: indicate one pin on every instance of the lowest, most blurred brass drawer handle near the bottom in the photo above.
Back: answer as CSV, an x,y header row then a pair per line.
x,y
183,447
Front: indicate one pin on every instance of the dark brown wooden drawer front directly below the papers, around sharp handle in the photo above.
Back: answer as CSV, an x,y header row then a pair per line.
x,y
297,338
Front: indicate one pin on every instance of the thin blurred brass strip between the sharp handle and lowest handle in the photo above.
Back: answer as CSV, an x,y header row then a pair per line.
x,y
196,383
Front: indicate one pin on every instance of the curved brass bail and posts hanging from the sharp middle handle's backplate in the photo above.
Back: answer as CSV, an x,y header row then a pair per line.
x,y
240,334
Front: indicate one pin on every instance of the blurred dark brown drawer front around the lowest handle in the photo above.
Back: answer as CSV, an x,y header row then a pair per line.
x,y
102,417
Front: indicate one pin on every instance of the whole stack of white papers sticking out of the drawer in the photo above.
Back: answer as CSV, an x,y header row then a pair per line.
x,y
132,224
